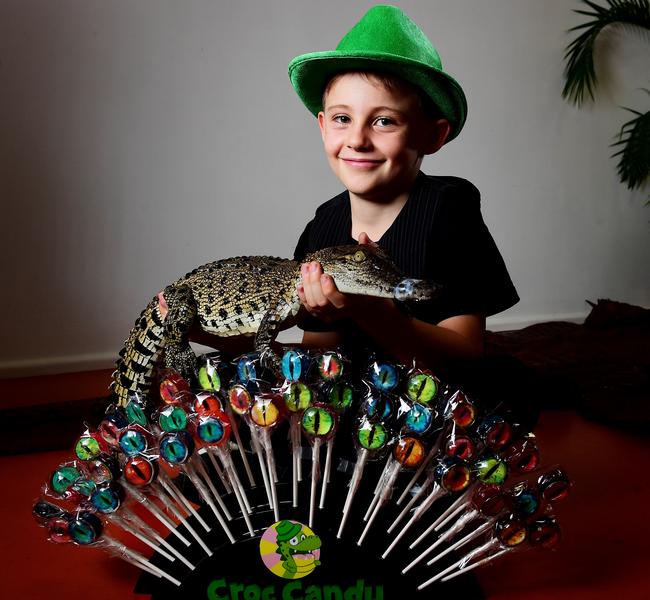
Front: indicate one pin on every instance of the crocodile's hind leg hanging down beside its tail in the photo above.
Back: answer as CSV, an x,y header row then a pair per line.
x,y
180,317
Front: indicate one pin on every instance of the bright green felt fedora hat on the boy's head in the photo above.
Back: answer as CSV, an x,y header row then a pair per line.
x,y
385,40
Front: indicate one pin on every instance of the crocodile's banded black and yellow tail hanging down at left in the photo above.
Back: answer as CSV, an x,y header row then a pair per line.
x,y
140,354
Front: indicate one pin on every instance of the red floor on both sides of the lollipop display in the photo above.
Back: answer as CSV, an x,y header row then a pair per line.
x,y
604,553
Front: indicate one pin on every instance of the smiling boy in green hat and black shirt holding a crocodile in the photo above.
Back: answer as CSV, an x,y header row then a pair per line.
x,y
383,103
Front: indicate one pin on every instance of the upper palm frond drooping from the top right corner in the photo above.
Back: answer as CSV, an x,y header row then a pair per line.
x,y
580,72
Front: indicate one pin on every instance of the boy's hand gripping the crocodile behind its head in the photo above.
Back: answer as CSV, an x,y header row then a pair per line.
x,y
320,296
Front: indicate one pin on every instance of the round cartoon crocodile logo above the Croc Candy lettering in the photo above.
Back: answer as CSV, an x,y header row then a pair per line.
x,y
298,549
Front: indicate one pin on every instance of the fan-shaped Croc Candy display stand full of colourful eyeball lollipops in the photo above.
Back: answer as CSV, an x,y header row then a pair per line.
x,y
331,480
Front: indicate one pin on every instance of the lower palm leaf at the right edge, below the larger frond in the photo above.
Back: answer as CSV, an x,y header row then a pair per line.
x,y
634,140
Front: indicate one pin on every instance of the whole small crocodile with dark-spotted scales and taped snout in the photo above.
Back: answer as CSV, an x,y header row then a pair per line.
x,y
246,296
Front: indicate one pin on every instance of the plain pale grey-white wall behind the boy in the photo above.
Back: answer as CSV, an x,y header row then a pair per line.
x,y
139,139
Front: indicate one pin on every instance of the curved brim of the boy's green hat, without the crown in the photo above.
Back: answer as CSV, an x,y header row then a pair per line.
x,y
310,73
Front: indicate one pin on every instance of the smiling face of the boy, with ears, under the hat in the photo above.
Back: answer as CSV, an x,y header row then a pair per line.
x,y
375,137
